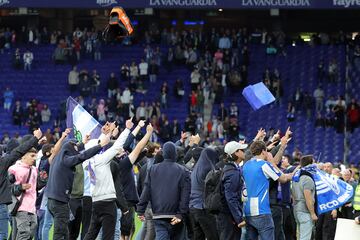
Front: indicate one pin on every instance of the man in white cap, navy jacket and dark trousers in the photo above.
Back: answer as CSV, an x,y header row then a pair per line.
x,y
231,219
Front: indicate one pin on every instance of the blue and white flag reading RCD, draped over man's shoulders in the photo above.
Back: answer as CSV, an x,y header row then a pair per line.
x,y
331,192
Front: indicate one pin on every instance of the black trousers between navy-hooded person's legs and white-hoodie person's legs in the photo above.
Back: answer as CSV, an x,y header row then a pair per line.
x,y
75,223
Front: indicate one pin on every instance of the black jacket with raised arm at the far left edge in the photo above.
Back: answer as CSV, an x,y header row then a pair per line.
x,y
6,161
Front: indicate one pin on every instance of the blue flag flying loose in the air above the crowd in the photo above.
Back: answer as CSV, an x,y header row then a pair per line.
x,y
258,95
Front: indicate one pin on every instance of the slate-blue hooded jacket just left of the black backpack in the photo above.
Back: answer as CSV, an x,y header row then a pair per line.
x,y
207,161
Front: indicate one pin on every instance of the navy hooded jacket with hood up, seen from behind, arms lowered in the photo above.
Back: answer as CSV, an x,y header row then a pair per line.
x,y
167,187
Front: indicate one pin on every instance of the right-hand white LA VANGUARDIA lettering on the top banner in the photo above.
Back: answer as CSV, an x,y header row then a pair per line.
x,y
276,3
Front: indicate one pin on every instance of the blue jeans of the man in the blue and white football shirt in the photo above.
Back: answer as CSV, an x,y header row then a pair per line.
x,y
260,226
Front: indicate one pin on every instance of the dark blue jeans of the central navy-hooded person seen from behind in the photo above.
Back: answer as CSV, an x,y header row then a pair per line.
x,y
165,231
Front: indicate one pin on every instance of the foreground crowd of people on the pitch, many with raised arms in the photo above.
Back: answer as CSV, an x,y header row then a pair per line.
x,y
183,189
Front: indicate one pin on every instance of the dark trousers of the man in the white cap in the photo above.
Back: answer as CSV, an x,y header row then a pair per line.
x,y
228,229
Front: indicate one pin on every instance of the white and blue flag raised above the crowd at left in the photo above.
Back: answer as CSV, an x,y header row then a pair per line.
x,y
81,121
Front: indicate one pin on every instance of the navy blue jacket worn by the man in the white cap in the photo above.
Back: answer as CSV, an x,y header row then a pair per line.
x,y
233,186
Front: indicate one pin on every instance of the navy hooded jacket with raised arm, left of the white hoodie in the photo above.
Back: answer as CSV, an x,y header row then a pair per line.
x,y
62,170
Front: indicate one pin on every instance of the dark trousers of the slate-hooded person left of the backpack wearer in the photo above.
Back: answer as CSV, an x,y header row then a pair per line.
x,y
204,225
